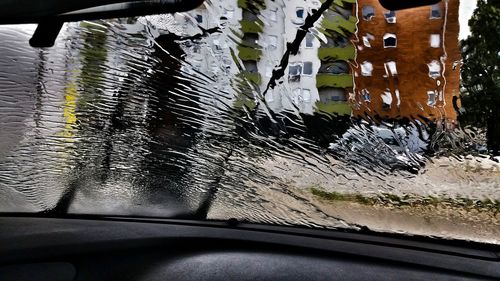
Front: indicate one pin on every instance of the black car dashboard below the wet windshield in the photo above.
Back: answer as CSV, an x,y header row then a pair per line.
x,y
119,249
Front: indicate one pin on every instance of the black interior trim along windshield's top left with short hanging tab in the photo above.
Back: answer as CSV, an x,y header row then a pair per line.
x,y
51,14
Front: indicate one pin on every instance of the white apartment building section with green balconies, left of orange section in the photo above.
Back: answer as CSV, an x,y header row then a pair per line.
x,y
317,78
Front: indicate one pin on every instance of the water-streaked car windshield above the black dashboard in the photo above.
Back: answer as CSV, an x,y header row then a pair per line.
x,y
324,114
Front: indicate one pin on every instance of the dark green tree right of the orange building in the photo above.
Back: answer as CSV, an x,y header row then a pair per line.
x,y
481,73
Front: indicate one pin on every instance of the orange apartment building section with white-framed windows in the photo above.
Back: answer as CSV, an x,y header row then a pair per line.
x,y
407,62
